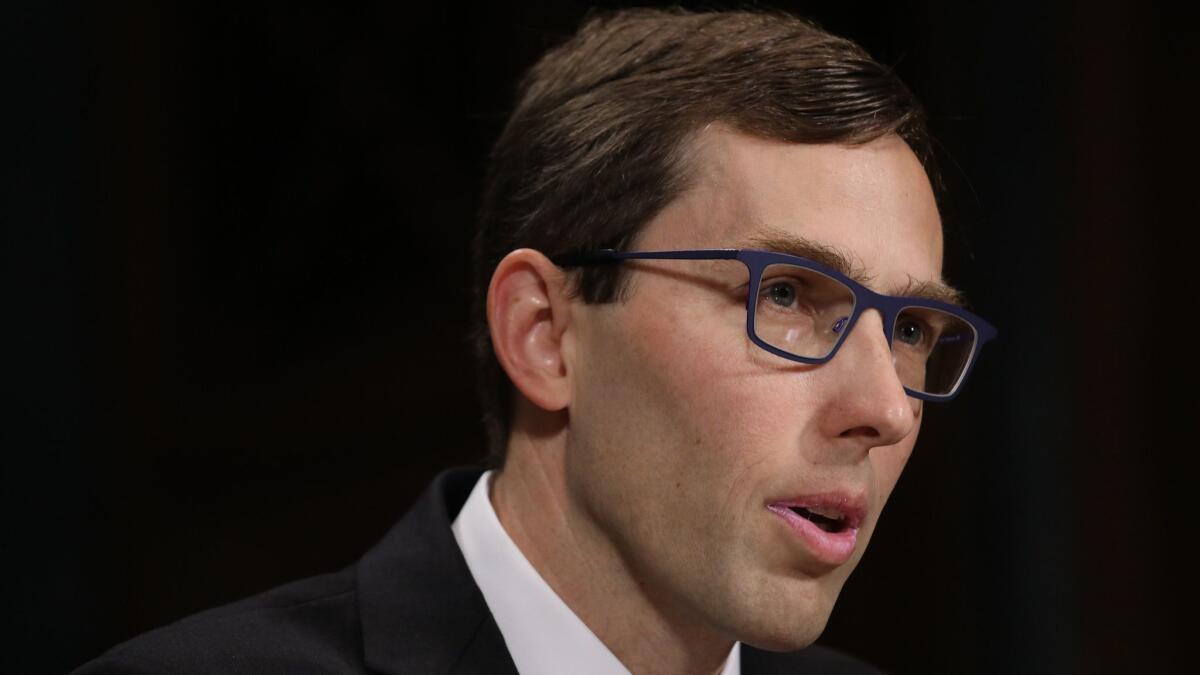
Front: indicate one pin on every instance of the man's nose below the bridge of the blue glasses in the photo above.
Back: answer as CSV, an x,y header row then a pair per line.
x,y
867,402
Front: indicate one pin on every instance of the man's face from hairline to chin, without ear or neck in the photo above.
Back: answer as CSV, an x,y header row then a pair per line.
x,y
686,438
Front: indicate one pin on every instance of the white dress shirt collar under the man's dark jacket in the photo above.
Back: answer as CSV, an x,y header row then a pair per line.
x,y
543,635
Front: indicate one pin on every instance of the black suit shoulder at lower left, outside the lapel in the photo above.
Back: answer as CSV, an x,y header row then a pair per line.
x,y
308,626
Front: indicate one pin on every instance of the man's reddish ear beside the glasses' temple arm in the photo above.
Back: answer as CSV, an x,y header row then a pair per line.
x,y
527,314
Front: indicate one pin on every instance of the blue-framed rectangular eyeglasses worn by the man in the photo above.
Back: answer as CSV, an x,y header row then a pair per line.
x,y
803,310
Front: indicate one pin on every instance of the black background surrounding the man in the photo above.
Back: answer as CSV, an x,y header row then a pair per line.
x,y
236,291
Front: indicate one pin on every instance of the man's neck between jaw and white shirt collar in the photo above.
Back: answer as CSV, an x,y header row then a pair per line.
x,y
584,568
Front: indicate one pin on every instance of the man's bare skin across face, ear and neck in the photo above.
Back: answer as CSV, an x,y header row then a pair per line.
x,y
650,434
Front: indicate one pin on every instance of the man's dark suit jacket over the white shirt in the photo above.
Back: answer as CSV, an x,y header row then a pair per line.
x,y
409,607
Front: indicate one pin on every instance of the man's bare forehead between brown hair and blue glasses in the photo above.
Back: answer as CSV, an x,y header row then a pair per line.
x,y
872,204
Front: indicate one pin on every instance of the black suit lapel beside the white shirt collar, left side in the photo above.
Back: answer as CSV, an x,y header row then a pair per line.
x,y
422,611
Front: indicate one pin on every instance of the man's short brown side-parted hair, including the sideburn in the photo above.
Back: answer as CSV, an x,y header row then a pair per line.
x,y
596,146
